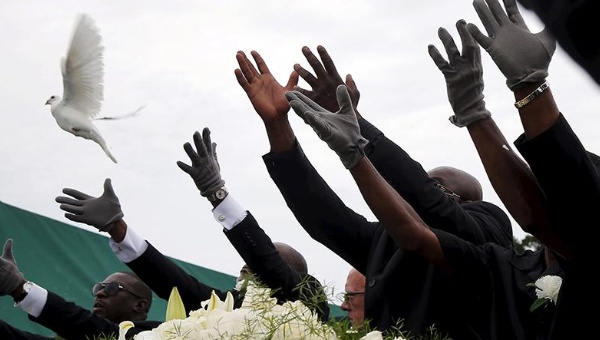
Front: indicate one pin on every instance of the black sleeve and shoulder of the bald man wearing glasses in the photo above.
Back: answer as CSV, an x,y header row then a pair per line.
x,y
478,222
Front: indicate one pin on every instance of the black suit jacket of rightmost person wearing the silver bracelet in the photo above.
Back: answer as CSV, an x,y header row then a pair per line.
x,y
571,184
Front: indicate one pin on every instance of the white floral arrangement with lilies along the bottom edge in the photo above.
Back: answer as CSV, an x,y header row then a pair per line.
x,y
259,317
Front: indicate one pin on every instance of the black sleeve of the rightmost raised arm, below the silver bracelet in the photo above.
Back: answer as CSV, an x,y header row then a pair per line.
x,y
570,182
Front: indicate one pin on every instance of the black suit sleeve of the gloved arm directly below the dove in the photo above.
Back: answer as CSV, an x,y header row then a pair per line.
x,y
161,275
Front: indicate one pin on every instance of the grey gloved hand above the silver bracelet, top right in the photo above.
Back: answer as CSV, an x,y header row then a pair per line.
x,y
522,56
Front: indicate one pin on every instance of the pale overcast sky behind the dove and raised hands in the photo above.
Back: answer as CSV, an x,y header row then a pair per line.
x,y
178,58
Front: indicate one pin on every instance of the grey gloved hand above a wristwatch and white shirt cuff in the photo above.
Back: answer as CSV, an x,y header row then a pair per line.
x,y
205,170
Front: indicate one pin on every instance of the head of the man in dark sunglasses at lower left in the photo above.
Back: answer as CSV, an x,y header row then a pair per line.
x,y
115,299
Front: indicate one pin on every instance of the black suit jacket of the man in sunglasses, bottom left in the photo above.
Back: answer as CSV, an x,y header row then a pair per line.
x,y
73,322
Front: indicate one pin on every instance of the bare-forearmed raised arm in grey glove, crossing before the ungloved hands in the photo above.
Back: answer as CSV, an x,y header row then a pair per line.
x,y
341,133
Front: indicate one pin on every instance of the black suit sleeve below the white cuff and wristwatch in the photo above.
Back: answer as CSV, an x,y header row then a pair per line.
x,y
261,256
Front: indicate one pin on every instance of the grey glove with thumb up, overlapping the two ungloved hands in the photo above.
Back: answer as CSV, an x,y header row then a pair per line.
x,y
339,130
